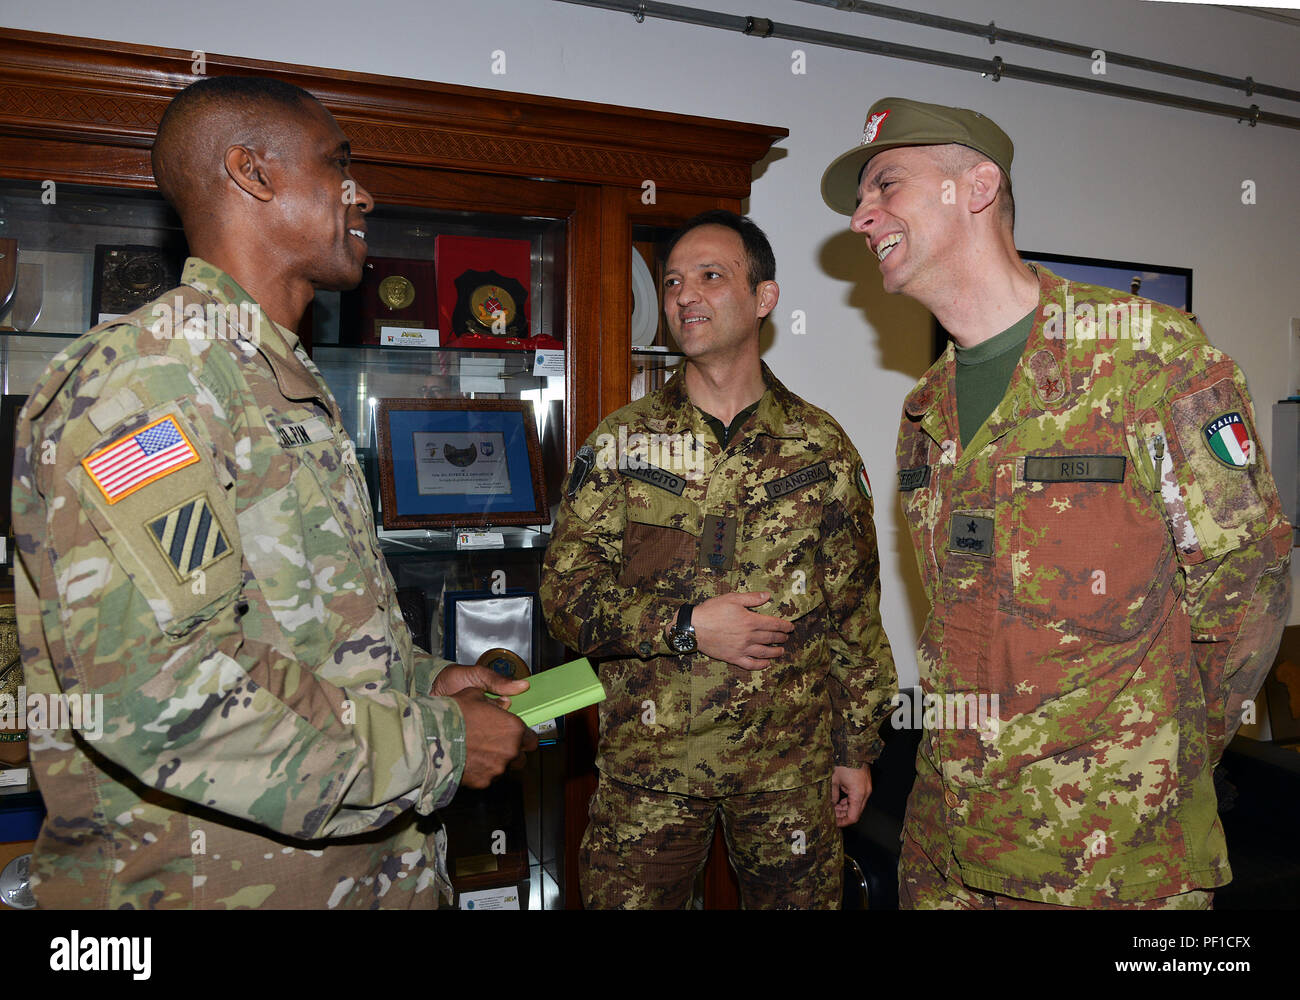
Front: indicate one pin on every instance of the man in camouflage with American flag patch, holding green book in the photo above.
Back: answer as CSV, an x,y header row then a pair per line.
x,y
196,547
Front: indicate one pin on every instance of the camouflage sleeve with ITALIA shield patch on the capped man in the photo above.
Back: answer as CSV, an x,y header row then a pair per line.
x,y
1199,448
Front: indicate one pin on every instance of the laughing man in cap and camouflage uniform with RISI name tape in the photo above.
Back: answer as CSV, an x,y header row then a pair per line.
x,y
1098,533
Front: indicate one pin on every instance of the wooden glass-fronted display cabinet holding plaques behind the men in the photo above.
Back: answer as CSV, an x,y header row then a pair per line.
x,y
569,191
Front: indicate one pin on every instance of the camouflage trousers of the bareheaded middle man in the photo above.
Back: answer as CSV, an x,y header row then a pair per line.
x,y
644,849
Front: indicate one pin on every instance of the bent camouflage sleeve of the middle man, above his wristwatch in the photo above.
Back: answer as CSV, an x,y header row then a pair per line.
x,y
586,607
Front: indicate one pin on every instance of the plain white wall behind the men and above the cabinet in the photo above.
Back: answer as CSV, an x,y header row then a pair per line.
x,y
1094,176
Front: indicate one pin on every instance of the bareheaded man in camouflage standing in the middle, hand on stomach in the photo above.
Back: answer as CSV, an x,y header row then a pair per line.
x,y
716,551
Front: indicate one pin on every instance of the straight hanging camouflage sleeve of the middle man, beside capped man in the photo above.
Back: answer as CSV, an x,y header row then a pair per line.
x,y
863,670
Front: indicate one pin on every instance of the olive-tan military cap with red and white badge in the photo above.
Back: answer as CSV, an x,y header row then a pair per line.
x,y
898,122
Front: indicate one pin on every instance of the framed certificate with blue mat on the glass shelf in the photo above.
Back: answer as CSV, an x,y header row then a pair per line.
x,y
452,464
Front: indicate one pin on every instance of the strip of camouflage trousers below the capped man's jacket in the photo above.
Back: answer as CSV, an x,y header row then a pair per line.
x,y
924,886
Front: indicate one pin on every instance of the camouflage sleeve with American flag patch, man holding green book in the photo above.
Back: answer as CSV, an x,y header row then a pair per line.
x,y
203,698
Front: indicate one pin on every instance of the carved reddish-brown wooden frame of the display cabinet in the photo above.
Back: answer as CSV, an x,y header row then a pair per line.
x,y
575,179
